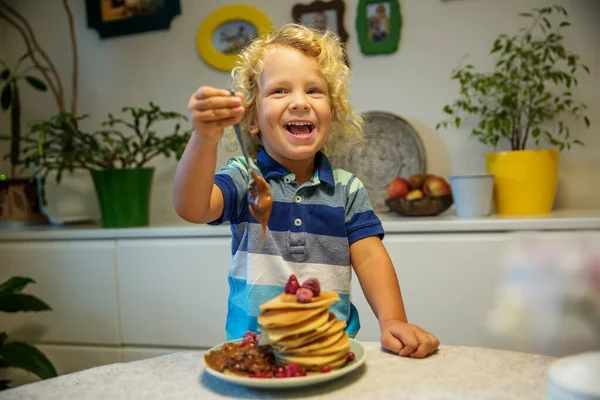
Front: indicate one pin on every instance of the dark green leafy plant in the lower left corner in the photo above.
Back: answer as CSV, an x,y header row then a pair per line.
x,y
14,353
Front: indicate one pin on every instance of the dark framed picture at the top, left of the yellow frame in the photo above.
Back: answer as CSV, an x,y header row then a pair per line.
x,y
125,17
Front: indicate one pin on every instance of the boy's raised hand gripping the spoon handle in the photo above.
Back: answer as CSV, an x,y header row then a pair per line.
x,y
212,109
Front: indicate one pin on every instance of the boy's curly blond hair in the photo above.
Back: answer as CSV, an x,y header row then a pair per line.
x,y
326,48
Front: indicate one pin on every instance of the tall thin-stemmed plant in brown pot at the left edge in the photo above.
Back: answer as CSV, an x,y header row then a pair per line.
x,y
19,201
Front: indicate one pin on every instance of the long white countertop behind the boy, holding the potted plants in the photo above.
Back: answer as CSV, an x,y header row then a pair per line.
x,y
392,223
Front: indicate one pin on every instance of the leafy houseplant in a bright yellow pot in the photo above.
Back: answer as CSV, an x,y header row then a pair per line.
x,y
526,98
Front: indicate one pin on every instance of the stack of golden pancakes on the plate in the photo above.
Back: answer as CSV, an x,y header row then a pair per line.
x,y
306,334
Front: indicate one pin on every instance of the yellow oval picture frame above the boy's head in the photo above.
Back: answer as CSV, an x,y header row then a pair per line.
x,y
215,57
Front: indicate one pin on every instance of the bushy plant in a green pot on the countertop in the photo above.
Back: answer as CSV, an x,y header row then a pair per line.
x,y
118,162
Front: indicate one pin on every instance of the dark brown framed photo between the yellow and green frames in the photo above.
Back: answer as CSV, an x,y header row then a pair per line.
x,y
322,15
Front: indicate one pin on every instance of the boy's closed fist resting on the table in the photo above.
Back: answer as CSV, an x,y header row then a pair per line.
x,y
407,340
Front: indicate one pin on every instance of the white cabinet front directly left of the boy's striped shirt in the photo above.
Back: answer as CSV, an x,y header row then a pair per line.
x,y
173,292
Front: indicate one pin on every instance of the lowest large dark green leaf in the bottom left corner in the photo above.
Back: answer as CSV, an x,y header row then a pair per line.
x,y
27,357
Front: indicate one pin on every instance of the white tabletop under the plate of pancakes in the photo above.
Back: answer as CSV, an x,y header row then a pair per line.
x,y
451,373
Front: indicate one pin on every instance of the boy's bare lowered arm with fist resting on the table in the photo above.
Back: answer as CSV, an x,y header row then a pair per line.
x,y
379,283
